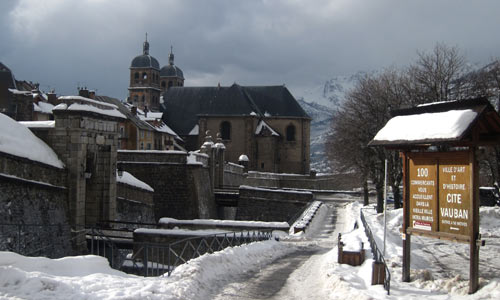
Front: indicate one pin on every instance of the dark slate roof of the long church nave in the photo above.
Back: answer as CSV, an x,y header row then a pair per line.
x,y
183,105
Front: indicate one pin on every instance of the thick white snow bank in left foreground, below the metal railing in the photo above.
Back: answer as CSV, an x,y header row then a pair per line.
x,y
90,277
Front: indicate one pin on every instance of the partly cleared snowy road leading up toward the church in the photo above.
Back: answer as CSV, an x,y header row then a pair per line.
x,y
293,276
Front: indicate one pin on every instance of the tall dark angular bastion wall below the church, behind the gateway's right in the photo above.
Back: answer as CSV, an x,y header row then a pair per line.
x,y
181,191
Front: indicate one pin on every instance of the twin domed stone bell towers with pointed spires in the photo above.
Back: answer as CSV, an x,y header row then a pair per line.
x,y
148,81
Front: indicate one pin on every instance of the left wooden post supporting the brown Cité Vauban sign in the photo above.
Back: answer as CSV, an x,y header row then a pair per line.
x,y
406,220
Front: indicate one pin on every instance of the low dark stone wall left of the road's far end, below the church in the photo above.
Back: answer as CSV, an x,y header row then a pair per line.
x,y
271,205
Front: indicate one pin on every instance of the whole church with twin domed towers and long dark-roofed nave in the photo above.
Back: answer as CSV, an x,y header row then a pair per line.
x,y
265,124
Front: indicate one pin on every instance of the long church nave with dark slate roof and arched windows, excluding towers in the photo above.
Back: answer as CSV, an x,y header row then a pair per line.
x,y
265,123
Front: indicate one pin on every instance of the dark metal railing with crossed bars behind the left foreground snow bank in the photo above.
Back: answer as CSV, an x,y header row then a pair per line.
x,y
153,259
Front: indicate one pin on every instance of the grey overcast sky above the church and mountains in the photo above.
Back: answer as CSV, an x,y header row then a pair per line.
x,y
63,43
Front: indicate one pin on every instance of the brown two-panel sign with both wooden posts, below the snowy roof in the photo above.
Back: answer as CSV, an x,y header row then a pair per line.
x,y
441,201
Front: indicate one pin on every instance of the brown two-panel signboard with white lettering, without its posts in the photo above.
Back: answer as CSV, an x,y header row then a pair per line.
x,y
440,194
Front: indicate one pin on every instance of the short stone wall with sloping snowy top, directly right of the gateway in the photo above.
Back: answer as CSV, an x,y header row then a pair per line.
x,y
134,204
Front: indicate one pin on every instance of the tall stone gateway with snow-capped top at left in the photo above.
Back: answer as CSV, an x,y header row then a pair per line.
x,y
86,142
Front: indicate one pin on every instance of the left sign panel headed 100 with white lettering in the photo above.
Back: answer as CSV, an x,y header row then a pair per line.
x,y
423,202
